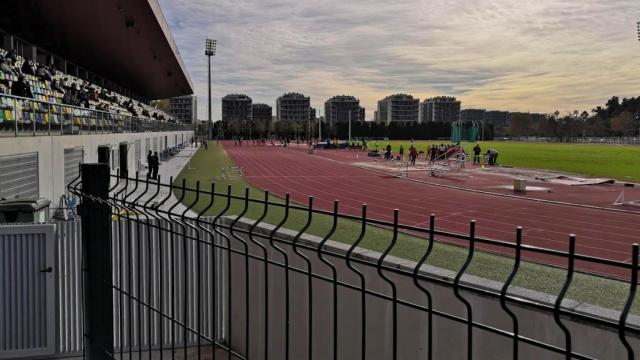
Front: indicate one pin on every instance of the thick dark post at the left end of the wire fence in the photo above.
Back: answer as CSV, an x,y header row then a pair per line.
x,y
96,239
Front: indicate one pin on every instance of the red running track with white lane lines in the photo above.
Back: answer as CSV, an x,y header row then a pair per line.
x,y
602,233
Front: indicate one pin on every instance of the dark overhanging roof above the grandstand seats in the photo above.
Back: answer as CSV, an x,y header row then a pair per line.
x,y
128,42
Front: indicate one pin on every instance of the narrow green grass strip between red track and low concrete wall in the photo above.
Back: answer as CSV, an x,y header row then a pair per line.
x,y
207,164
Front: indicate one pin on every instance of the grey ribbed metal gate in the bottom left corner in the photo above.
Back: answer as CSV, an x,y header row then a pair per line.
x,y
27,291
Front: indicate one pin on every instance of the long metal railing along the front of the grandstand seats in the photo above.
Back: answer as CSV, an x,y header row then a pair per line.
x,y
28,117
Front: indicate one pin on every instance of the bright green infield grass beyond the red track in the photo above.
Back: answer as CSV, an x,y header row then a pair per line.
x,y
621,162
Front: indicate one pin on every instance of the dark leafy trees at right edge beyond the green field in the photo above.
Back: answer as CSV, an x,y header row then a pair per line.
x,y
616,118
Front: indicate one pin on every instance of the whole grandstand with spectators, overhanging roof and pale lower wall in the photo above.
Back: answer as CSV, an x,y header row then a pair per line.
x,y
78,76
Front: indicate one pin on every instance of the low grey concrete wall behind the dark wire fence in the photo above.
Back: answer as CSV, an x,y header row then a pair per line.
x,y
449,337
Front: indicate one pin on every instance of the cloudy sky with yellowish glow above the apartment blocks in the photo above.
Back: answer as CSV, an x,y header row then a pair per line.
x,y
513,55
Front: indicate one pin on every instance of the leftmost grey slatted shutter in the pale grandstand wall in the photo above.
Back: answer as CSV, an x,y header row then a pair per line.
x,y
19,175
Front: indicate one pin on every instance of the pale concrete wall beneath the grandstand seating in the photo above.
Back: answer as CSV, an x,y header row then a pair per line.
x,y
50,151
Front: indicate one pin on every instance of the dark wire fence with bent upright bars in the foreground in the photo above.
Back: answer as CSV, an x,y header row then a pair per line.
x,y
229,287
